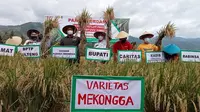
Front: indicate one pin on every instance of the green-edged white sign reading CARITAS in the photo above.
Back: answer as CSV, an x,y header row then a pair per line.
x,y
133,56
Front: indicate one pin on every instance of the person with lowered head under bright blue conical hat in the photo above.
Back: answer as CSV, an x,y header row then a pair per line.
x,y
171,52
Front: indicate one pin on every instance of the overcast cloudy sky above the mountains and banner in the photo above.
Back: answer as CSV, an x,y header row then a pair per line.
x,y
144,15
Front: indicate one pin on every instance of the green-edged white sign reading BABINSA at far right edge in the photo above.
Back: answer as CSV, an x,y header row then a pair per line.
x,y
190,56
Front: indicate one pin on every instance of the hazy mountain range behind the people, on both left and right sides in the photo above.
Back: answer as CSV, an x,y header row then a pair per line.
x,y
20,30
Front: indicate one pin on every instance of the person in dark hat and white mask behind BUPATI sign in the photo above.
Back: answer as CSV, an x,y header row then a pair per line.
x,y
101,39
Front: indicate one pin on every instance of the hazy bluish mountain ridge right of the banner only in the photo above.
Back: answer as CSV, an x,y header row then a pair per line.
x,y
183,43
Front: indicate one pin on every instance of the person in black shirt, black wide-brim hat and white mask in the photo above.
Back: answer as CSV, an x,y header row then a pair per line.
x,y
71,40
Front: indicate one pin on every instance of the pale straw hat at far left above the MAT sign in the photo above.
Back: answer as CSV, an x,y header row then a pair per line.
x,y
15,40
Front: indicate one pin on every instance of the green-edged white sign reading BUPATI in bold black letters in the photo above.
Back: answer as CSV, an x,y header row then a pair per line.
x,y
98,54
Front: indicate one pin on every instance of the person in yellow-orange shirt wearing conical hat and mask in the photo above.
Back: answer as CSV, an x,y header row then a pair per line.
x,y
146,46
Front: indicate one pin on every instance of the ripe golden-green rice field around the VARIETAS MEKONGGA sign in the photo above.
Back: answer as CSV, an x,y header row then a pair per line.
x,y
37,85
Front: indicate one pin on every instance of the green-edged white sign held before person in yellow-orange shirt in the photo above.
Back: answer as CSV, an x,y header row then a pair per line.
x,y
154,57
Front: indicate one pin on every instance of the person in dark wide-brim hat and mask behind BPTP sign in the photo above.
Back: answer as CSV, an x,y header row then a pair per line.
x,y
34,37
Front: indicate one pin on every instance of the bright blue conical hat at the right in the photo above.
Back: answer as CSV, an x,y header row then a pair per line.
x,y
171,49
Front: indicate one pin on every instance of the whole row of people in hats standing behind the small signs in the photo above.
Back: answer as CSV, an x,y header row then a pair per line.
x,y
171,52
